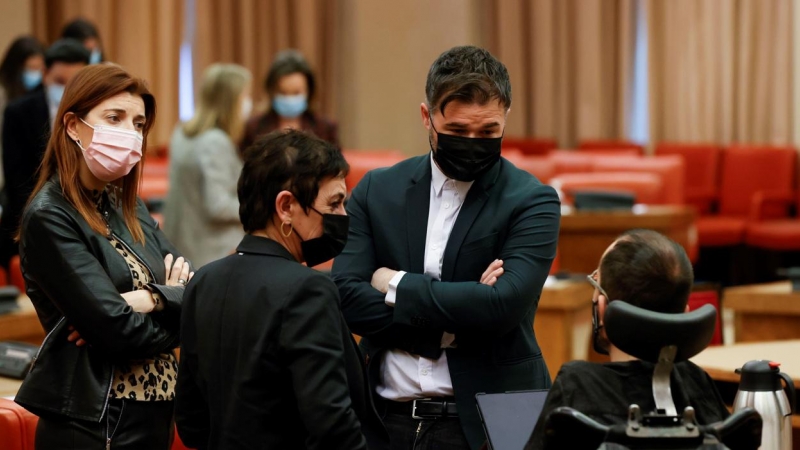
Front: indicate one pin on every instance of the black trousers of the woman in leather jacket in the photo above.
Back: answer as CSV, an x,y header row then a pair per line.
x,y
129,425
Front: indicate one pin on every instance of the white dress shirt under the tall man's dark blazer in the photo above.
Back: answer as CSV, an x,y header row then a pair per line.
x,y
405,376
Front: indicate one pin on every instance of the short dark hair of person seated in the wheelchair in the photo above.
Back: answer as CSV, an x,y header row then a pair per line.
x,y
648,270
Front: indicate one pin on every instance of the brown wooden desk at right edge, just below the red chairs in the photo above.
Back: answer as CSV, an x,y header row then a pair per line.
x,y
764,312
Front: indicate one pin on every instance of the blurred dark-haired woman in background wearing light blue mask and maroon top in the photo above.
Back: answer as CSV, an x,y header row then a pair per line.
x,y
291,87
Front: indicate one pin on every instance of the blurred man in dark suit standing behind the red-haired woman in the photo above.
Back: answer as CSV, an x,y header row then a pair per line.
x,y
26,130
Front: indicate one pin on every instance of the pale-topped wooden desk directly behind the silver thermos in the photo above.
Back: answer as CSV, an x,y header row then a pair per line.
x,y
721,362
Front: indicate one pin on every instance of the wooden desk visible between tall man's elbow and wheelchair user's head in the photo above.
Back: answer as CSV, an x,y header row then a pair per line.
x,y
563,322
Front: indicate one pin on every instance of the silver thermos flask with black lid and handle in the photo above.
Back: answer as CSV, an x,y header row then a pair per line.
x,y
760,388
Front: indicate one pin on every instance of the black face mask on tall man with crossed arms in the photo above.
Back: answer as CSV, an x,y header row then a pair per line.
x,y
462,158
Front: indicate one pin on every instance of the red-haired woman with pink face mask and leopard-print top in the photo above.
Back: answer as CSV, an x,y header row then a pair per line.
x,y
106,283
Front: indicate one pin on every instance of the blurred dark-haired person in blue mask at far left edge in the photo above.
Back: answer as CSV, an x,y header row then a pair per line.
x,y
20,72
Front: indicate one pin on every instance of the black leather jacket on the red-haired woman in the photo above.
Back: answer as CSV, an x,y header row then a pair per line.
x,y
74,276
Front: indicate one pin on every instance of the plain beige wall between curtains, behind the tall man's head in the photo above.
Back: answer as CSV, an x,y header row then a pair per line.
x,y
387,48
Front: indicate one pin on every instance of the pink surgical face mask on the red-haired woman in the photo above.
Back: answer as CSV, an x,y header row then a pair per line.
x,y
113,152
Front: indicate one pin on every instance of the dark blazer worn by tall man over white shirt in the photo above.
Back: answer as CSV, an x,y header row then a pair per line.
x,y
507,214
